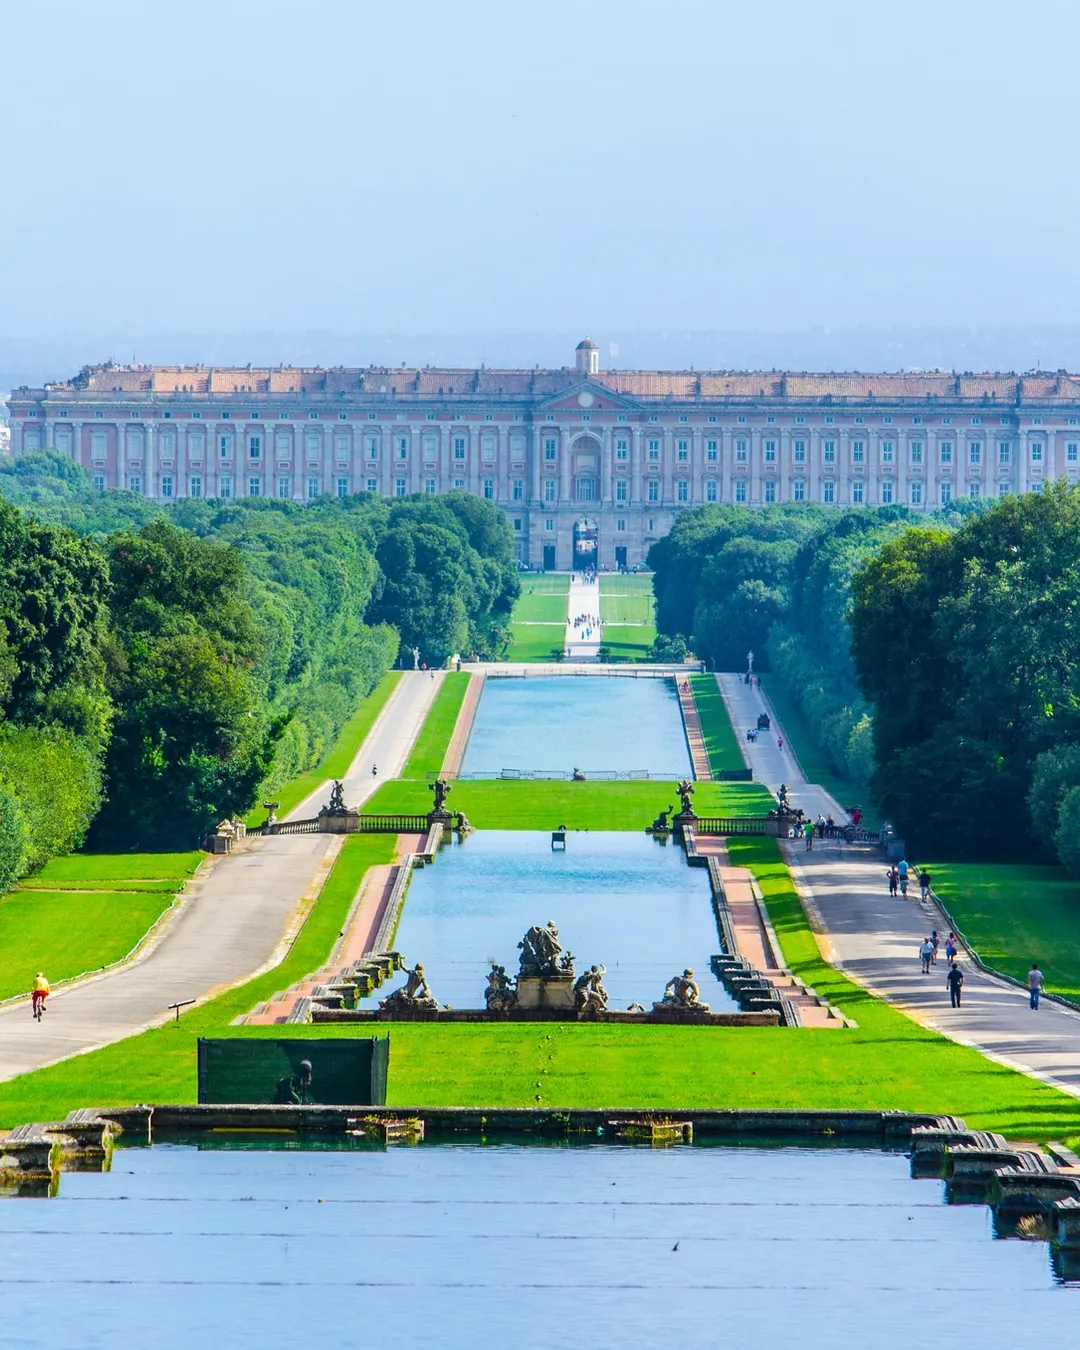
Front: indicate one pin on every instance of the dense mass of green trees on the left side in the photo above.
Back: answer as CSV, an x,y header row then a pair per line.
x,y
159,668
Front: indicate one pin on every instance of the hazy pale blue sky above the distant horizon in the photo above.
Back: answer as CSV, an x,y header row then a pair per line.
x,y
537,167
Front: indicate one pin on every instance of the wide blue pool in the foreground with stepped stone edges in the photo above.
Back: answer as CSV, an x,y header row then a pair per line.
x,y
454,1245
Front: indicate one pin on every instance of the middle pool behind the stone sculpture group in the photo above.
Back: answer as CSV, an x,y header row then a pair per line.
x,y
619,900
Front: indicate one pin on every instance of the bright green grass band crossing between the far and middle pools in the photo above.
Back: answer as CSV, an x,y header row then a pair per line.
x,y
492,805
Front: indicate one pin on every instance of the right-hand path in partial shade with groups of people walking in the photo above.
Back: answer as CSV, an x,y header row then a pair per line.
x,y
875,939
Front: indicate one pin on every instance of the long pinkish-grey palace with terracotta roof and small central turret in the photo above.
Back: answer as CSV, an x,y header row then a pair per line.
x,y
587,464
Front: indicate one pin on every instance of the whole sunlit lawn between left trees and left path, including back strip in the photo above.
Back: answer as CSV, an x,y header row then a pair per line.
x,y
84,912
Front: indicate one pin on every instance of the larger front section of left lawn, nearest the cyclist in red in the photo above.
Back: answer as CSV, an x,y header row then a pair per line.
x,y
67,934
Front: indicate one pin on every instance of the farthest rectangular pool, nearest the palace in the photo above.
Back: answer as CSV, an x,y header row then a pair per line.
x,y
561,723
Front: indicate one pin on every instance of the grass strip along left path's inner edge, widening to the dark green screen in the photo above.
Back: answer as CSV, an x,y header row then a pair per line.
x,y
161,1066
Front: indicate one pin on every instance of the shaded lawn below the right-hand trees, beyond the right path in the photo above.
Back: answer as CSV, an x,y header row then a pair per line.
x,y
1015,915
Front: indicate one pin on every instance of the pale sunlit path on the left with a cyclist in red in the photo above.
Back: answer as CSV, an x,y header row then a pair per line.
x,y
236,920
